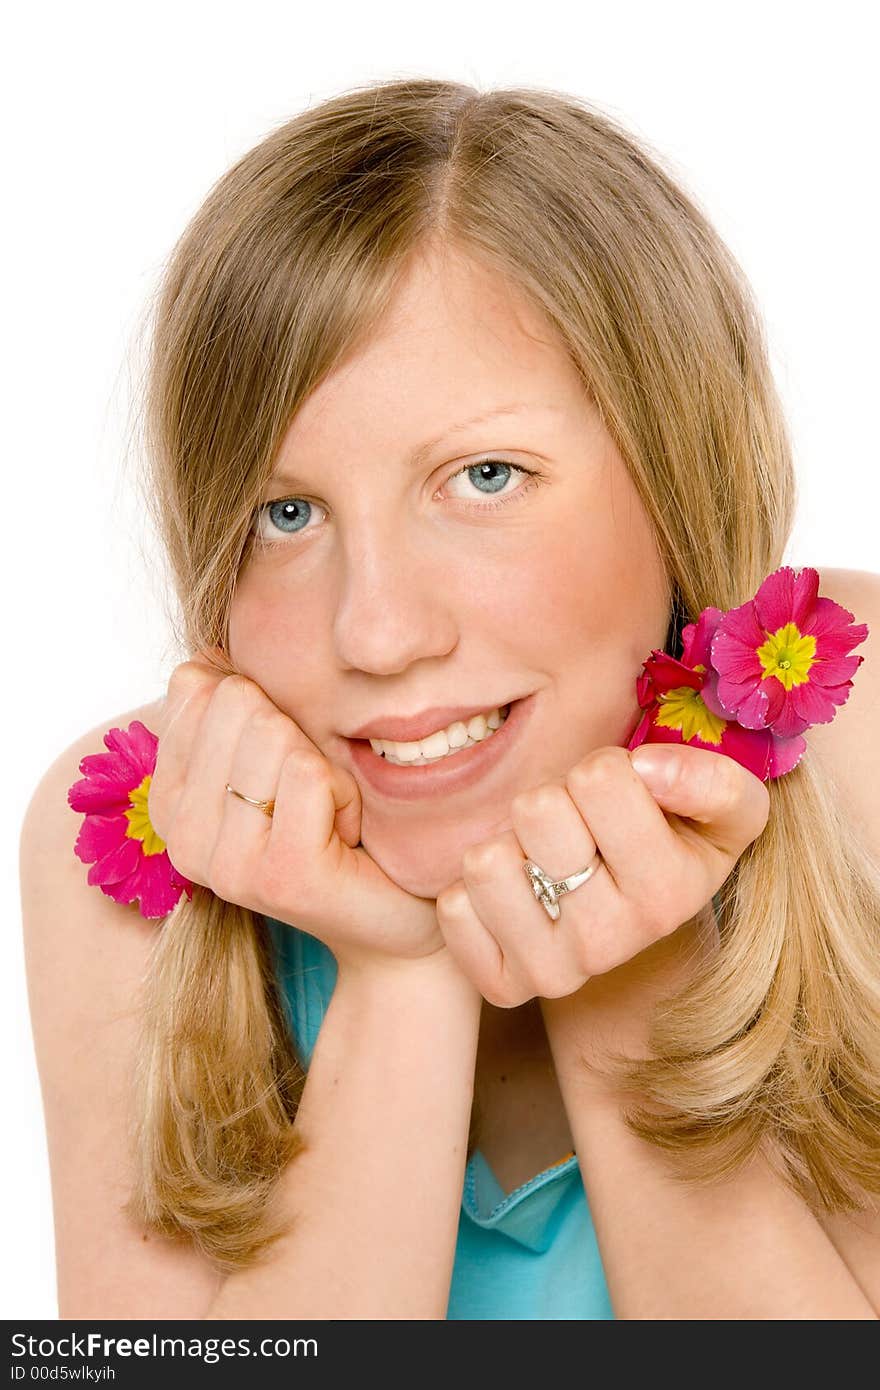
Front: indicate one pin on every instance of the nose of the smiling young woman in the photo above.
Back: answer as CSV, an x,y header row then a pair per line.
x,y
396,605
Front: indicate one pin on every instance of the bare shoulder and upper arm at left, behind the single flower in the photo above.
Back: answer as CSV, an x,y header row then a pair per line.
x,y
85,960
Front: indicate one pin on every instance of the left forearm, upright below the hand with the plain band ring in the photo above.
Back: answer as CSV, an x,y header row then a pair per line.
x,y
376,1195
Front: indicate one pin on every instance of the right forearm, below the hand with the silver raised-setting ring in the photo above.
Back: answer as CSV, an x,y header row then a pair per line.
x,y
744,1249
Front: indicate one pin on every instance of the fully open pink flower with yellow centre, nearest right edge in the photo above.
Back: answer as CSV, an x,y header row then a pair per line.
x,y
782,658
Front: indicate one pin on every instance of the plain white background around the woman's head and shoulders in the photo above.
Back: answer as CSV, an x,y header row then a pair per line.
x,y
116,123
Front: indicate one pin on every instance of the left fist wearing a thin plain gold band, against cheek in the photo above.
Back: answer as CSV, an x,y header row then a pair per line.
x,y
305,864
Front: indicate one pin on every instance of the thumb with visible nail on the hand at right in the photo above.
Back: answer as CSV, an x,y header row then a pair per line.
x,y
707,787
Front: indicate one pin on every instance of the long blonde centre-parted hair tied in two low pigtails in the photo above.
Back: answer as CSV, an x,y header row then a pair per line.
x,y
287,266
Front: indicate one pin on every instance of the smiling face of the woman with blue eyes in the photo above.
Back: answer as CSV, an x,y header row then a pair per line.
x,y
408,566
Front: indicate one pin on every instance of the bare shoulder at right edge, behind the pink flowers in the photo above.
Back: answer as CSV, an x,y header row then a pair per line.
x,y
849,747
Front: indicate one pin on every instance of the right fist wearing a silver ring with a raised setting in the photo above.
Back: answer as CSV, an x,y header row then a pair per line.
x,y
658,871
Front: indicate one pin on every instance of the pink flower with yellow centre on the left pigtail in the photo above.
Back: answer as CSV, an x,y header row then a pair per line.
x,y
129,860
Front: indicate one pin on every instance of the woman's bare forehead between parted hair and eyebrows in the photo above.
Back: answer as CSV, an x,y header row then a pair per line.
x,y
459,341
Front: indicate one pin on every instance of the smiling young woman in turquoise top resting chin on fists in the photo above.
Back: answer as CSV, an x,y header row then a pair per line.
x,y
458,409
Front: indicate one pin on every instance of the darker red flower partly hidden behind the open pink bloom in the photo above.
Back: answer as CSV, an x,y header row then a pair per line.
x,y
682,707
